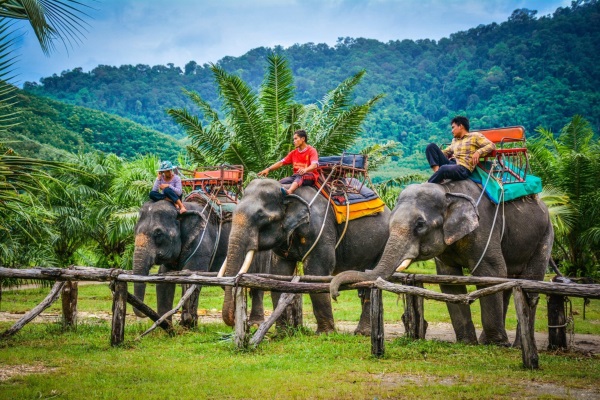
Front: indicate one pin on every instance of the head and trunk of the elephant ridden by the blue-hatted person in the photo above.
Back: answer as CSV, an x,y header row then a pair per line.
x,y
160,235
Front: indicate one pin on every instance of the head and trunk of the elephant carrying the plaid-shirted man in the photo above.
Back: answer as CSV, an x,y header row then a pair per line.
x,y
424,222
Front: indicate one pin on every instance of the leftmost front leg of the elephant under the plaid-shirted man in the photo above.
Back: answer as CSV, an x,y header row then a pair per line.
x,y
460,314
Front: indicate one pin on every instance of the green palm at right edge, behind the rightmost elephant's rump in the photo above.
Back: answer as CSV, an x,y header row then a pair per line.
x,y
570,164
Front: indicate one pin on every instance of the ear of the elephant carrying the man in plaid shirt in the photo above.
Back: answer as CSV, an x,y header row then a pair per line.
x,y
461,217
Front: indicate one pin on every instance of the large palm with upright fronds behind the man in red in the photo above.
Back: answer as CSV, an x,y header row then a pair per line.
x,y
257,128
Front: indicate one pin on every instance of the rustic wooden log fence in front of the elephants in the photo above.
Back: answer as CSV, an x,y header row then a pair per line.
x,y
408,284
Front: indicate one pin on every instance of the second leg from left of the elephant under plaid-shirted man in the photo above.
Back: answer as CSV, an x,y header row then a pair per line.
x,y
492,319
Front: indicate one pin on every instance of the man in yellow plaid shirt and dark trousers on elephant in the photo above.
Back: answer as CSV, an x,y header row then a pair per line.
x,y
457,161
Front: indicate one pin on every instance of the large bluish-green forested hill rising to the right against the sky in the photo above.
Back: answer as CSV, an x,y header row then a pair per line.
x,y
529,70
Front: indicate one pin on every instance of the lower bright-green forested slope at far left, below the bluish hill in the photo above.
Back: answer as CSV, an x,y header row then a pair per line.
x,y
48,129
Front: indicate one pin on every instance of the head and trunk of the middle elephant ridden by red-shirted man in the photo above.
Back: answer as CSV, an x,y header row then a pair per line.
x,y
264,219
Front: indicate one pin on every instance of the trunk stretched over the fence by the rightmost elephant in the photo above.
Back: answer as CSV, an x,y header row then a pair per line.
x,y
393,259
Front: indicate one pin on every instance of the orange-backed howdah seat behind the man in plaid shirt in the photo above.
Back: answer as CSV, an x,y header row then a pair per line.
x,y
509,162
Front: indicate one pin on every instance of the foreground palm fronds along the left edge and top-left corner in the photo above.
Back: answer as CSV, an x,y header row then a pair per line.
x,y
21,178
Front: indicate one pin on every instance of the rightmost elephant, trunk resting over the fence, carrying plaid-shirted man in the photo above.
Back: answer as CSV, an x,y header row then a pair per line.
x,y
444,222
